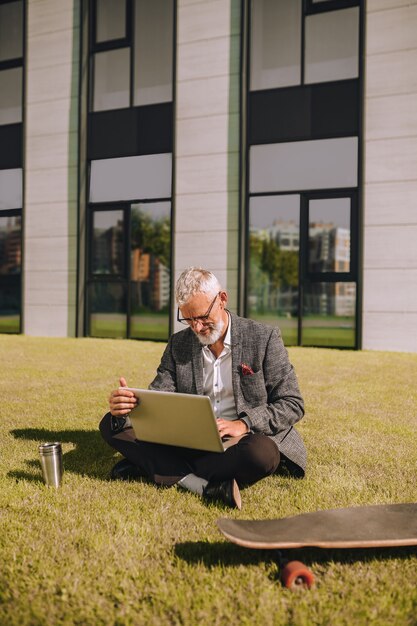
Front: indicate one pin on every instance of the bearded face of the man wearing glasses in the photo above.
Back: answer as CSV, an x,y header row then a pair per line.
x,y
206,315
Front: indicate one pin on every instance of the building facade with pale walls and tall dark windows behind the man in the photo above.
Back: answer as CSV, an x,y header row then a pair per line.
x,y
272,141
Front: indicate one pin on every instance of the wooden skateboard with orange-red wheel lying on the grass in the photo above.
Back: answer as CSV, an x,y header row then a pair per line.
x,y
374,526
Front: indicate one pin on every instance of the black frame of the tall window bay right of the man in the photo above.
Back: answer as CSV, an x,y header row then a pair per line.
x,y
355,193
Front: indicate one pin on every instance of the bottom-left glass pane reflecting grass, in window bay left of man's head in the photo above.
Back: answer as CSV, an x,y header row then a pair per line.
x,y
107,316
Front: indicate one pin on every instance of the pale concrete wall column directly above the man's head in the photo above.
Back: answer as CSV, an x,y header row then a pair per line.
x,y
207,139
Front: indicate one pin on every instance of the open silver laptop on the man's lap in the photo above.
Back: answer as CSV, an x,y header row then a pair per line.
x,y
176,419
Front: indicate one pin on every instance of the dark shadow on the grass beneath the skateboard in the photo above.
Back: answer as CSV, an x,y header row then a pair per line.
x,y
223,553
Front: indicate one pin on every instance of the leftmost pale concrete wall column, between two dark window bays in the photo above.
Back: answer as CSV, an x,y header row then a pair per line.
x,y
51,145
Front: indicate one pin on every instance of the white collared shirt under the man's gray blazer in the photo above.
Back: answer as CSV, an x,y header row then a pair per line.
x,y
217,379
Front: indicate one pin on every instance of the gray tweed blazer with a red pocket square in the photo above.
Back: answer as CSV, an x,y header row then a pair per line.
x,y
269,398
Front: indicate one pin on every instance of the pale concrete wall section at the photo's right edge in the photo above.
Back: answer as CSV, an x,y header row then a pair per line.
x,y
390,183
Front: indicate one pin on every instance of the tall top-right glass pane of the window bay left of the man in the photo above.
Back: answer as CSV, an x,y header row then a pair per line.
x,y
153,51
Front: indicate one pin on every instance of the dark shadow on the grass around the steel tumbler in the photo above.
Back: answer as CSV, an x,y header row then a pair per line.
x,y
91,456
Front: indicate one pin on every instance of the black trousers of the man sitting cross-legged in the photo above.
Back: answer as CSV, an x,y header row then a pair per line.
x,y
252,458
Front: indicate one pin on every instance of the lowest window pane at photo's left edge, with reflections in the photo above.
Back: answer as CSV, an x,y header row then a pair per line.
x,y
10,269
